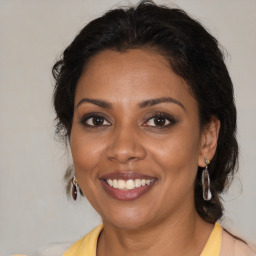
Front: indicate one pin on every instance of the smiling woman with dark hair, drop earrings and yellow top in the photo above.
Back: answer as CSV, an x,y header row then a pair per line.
x,y
145,100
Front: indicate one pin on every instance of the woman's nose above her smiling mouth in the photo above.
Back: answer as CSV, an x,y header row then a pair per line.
x,y
125,146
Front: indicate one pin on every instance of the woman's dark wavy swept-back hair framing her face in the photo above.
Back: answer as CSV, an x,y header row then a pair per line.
x,y
193,54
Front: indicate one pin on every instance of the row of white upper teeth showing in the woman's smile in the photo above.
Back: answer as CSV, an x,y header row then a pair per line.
x,y
128,184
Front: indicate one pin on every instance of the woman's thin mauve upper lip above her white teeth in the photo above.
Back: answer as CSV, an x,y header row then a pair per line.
x,y
126,176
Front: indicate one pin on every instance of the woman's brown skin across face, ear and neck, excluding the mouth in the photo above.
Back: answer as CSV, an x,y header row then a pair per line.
x,y
164,219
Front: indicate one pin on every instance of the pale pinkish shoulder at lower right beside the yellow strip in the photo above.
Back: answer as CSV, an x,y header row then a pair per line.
x,y
234,246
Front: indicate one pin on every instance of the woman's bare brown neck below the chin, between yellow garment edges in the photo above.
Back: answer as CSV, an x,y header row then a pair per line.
x,y
185,234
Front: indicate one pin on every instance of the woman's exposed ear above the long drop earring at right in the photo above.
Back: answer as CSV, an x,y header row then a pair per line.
x,y
209,141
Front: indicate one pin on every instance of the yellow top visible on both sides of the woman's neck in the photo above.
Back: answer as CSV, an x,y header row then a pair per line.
x,y
88,244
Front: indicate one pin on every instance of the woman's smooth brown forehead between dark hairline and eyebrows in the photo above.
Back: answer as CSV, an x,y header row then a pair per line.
x,y
131,76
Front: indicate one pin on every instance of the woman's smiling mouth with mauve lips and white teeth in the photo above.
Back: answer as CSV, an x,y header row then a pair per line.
x,y
127,186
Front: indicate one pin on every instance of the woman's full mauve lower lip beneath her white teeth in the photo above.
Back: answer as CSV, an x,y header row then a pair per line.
x,y
126,195
